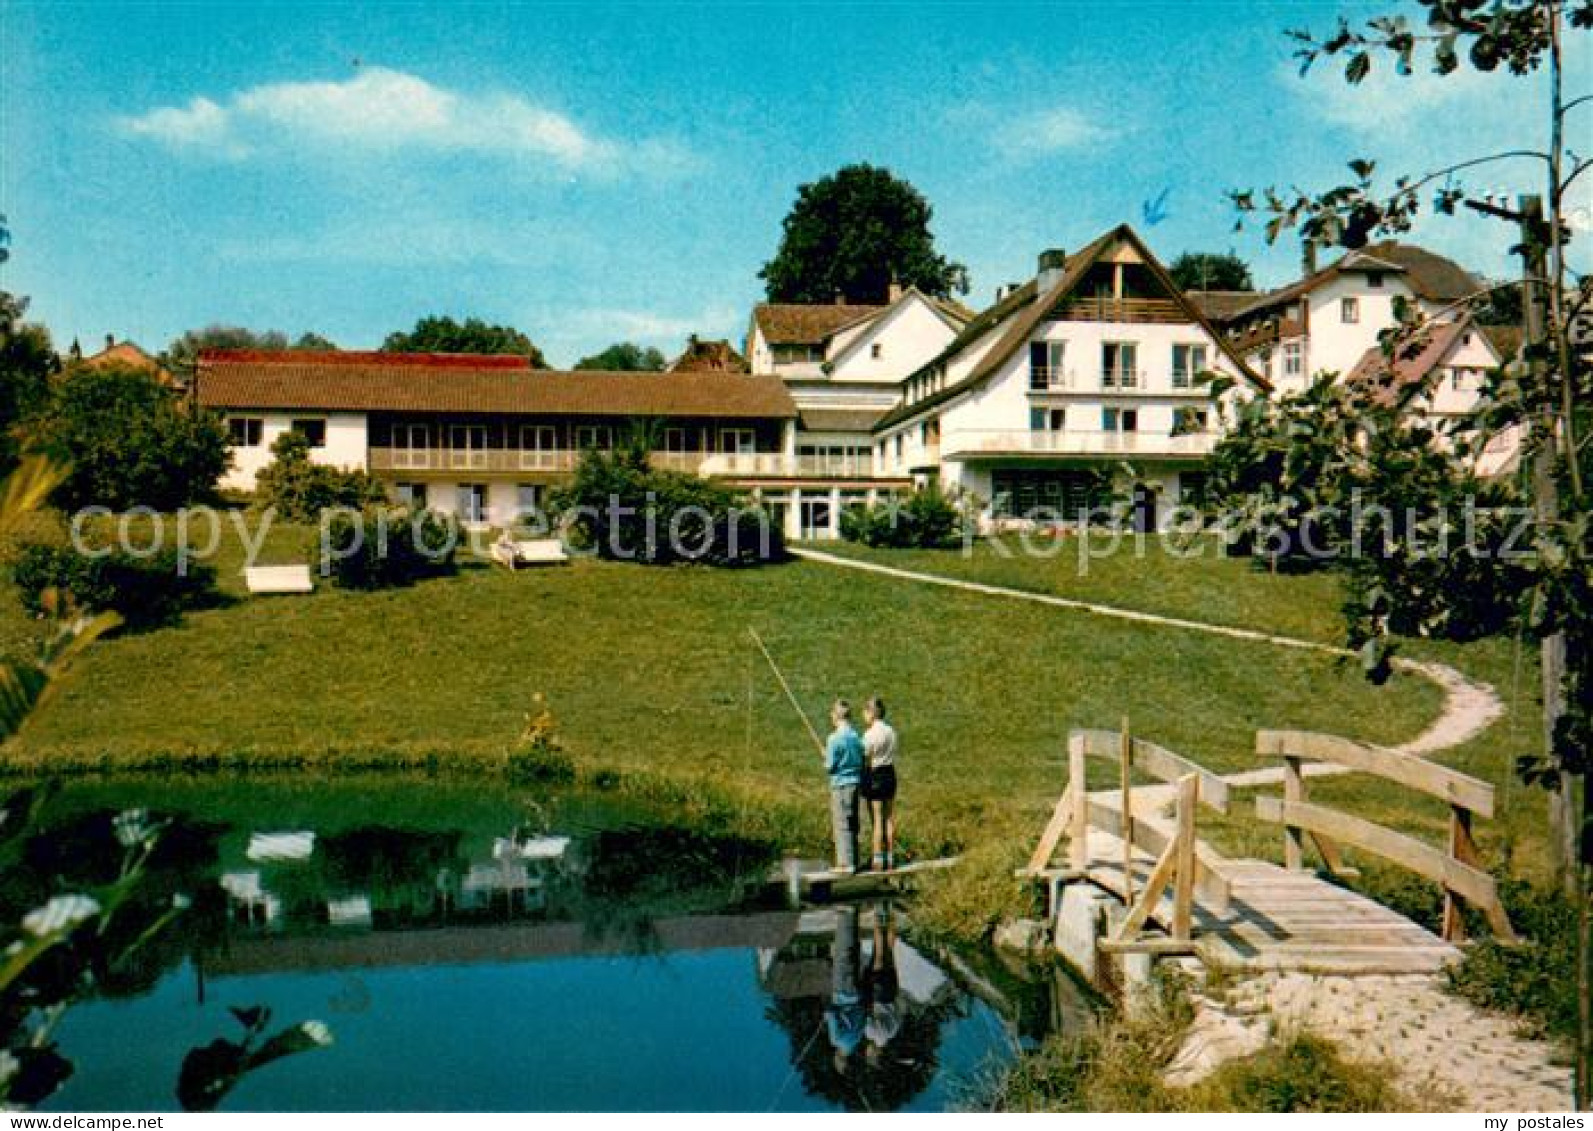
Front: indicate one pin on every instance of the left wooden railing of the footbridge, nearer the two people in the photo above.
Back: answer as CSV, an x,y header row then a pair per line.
x,y
1178,861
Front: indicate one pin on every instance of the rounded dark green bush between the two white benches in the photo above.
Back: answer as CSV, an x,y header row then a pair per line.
x,y
385,547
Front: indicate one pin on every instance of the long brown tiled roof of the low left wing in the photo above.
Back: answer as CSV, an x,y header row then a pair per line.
x,y
466,383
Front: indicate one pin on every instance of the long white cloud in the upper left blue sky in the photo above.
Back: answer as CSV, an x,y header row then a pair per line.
x,y
385,111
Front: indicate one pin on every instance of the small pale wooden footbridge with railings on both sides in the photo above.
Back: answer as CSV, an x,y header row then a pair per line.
x,y
1140,842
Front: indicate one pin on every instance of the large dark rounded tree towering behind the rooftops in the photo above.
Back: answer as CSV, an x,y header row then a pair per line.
x,y
855,235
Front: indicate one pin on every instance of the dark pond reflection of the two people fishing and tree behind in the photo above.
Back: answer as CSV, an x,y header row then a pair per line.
x,y
863,1009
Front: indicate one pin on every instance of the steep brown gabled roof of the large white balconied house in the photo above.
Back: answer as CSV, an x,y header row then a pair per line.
x,y
1024,311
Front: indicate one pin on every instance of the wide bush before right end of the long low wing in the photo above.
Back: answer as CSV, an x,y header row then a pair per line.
x,y
624,511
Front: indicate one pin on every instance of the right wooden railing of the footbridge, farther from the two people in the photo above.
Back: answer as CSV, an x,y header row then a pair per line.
x,y
1457,869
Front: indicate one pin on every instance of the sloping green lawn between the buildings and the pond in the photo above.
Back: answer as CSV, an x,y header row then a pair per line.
x,y
649,673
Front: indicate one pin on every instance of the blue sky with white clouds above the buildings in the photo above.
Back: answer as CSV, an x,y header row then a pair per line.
x,y
593,174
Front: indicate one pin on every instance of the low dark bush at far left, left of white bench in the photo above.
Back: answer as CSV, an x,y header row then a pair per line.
x,y
147,592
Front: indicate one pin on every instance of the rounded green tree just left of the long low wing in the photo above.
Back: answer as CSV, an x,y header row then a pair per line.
x,y
131,442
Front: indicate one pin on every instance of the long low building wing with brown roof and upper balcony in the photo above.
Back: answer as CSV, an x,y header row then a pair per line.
x,y
482,437
